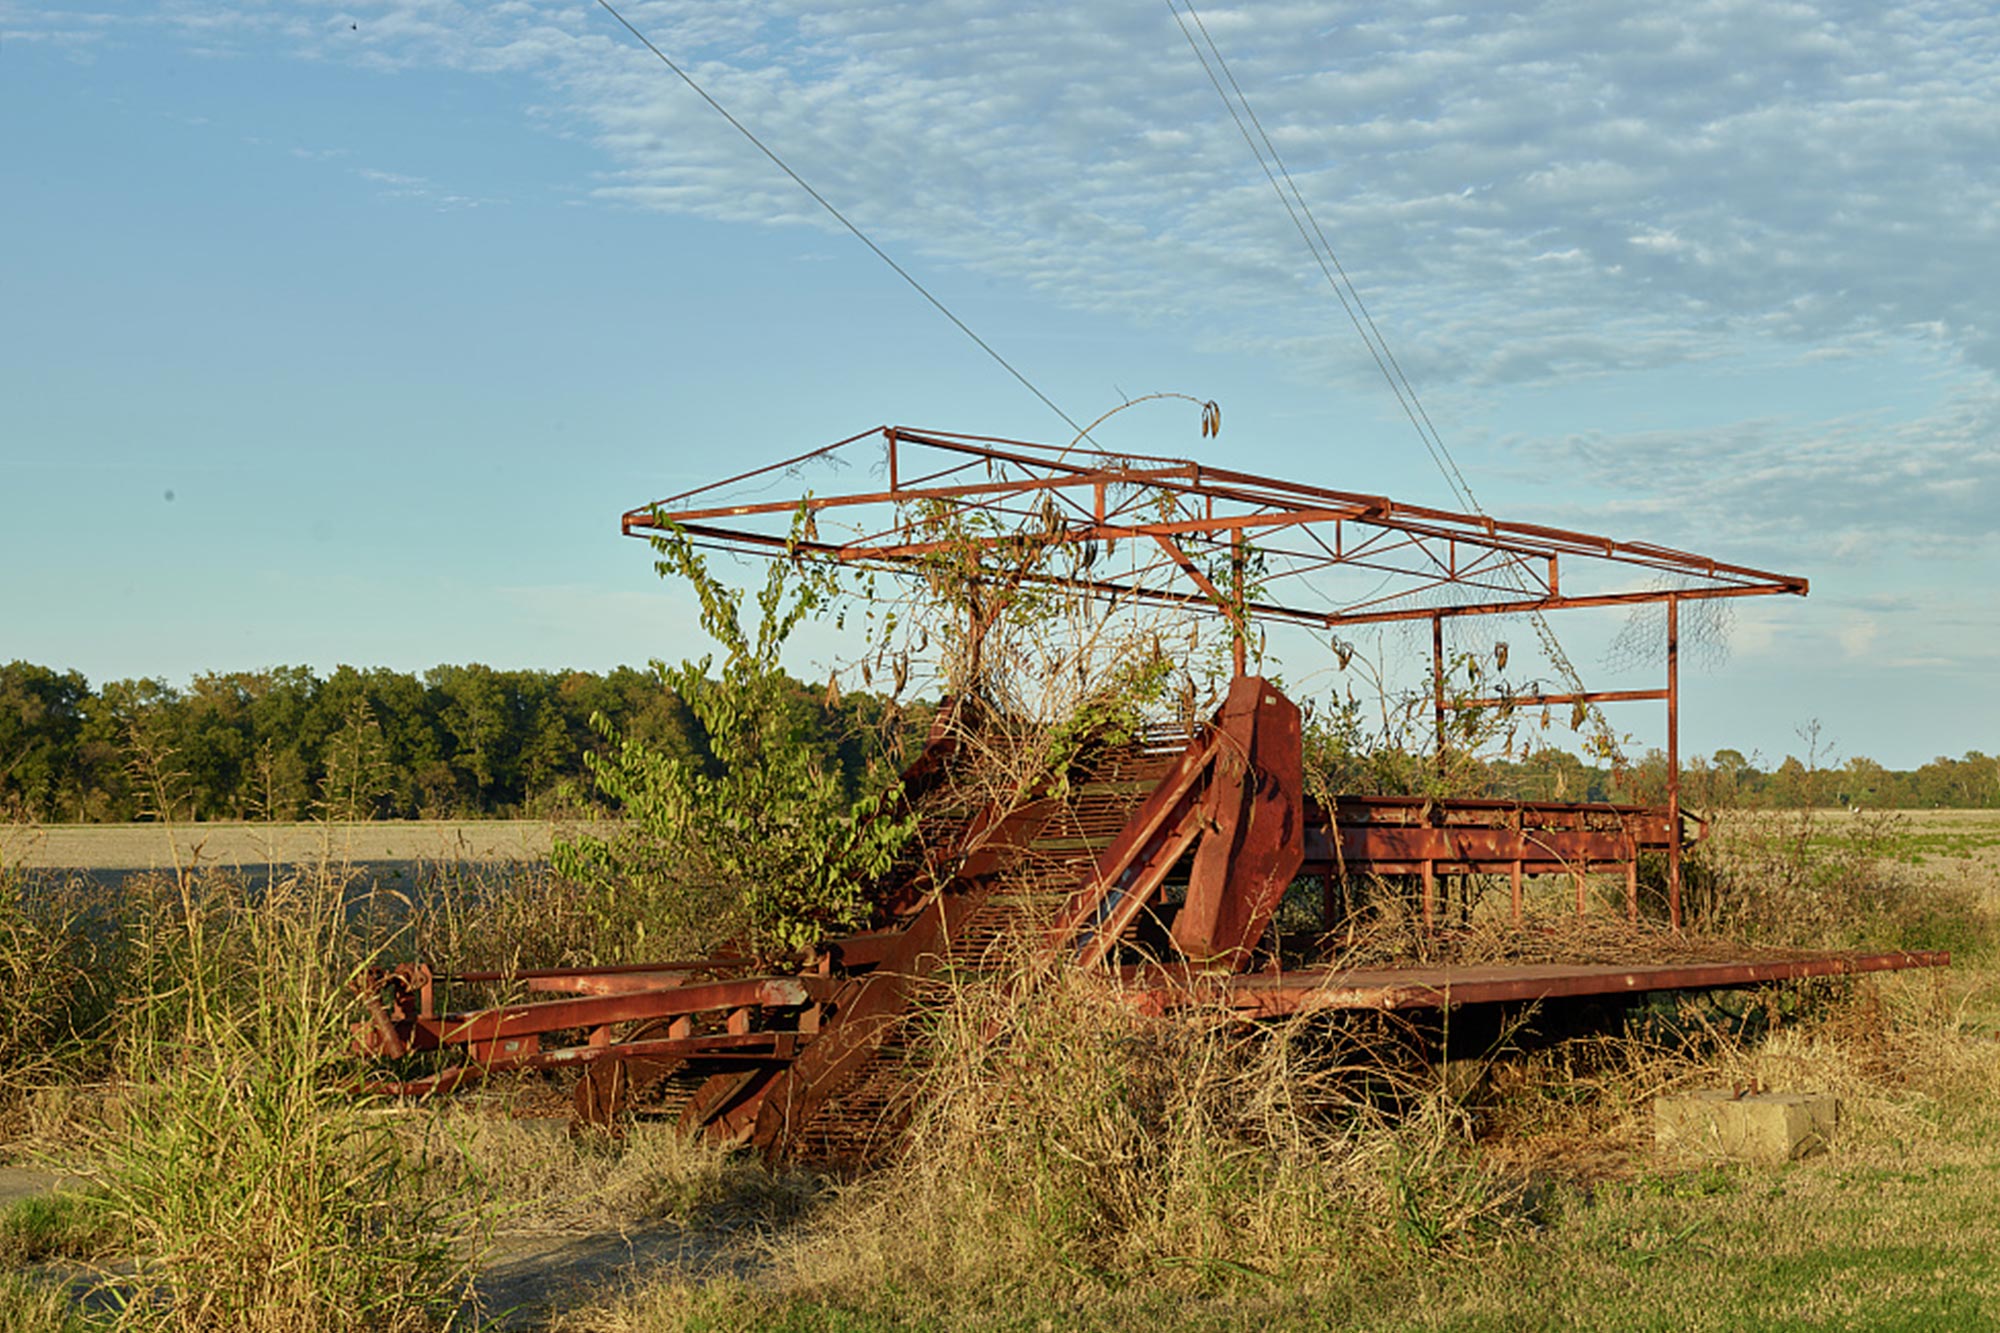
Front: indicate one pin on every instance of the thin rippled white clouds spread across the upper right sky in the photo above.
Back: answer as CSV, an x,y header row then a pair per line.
x,y
1531,195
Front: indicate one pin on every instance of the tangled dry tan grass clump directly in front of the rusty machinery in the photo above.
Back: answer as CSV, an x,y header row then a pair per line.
x,y
1065,1140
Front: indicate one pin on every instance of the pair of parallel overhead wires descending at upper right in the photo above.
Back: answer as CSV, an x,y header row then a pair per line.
x,y
1365,323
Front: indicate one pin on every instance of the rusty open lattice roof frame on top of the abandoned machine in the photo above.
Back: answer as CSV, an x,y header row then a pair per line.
x,y
1173,531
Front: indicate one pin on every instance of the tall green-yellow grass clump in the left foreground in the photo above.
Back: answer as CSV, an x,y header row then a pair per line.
x,y
253,1188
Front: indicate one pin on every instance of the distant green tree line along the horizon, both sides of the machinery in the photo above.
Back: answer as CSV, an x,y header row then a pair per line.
x,y
475,742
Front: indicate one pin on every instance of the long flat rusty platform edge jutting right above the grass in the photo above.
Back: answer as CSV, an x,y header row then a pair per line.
x,y
1277,996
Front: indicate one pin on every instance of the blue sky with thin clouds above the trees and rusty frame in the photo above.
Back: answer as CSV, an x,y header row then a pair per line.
x,y
403,303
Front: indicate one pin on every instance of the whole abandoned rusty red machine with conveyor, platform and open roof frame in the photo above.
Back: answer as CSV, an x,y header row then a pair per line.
x,y
1161,862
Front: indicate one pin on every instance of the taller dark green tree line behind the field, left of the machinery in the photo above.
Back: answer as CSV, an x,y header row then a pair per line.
x,y
289,744
